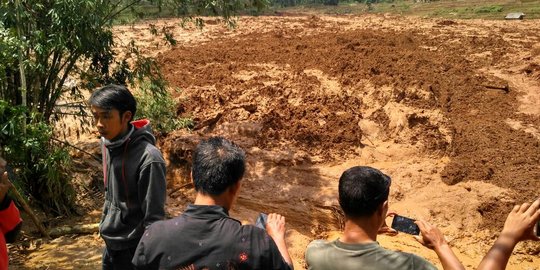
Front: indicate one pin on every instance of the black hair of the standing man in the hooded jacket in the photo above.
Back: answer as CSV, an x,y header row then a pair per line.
x,y
114,96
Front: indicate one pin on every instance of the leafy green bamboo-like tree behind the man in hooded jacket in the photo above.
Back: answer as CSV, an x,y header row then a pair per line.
x,y
50,51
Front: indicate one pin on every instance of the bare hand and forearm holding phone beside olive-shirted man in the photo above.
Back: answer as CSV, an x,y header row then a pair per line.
x,y
432,237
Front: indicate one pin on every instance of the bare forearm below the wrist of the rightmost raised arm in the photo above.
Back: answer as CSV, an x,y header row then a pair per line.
x,y
497,257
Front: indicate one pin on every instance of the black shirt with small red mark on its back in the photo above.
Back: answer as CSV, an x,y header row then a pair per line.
x,y
205,237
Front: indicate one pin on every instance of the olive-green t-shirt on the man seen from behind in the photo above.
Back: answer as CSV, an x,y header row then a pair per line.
x,y
323,255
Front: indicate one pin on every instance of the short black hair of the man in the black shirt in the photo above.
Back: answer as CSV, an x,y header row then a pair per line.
x,y
217,164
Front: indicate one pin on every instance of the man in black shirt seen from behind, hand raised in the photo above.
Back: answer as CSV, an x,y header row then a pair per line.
x,y
204,236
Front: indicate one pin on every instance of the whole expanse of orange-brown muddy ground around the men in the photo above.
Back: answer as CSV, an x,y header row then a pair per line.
x,y
449,109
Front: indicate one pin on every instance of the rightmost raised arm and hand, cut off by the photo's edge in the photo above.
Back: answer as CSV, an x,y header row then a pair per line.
x,y
519,226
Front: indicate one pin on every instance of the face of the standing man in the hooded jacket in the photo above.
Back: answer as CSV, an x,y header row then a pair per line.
x,y
109,123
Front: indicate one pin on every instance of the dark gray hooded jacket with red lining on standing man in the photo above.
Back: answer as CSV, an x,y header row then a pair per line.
x,y
135,187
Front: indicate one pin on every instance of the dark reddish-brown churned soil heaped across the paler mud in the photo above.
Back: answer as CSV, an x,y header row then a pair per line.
x,y
307,91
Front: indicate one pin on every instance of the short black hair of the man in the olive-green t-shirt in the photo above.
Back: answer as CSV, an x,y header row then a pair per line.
x,y
362,190
